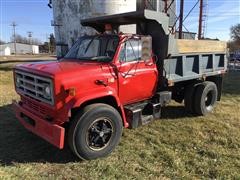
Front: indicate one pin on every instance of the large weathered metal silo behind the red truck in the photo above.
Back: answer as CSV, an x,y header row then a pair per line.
x,y
67,15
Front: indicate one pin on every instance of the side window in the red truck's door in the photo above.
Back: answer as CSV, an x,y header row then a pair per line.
x,y
131,51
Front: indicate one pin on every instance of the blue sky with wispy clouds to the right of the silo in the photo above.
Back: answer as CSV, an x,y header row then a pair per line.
x,y
222,14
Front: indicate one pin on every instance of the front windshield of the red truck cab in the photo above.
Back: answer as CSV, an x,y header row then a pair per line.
x,y
98,48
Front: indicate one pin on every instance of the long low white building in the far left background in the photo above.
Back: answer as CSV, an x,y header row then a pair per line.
x,y
9,48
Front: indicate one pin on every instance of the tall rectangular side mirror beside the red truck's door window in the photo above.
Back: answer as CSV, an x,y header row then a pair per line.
x,y
146,48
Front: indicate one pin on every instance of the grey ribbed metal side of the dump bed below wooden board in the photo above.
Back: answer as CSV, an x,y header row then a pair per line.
x,y
193,66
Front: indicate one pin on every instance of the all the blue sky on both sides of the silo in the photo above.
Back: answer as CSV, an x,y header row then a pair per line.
x,y
35,16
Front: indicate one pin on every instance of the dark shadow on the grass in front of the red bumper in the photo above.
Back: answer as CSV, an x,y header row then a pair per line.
x,y
17,145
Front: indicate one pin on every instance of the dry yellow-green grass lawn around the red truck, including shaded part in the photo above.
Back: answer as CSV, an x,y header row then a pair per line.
x,y
178,146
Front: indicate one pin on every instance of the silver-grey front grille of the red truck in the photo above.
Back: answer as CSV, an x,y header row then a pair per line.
x,y
33,86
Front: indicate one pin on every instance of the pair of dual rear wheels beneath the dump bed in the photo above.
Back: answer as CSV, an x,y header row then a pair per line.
x,y
200,98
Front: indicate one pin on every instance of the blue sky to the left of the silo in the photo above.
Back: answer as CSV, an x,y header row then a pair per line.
x,y
30,15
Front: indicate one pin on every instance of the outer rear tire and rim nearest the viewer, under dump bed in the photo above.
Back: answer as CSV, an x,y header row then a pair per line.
x,y
205,98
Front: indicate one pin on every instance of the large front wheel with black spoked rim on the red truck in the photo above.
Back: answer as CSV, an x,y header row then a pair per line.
x,y
95,131
